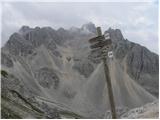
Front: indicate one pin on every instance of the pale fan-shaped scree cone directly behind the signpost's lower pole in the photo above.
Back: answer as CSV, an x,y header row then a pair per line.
x,y
127,93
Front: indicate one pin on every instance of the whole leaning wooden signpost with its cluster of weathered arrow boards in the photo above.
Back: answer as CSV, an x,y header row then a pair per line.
x,y
101,43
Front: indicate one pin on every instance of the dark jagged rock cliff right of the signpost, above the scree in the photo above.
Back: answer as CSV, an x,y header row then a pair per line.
x,y
142,64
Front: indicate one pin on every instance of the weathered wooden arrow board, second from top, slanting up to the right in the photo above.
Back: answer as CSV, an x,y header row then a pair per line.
x,y
101,44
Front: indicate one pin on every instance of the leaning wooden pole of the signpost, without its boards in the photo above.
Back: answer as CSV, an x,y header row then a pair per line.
x,y
108,80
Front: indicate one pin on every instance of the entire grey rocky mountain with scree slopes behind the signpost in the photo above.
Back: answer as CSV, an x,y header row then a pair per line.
x,y
55,68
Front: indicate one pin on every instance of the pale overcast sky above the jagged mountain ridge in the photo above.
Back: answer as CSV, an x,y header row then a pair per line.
x,y
138,21
